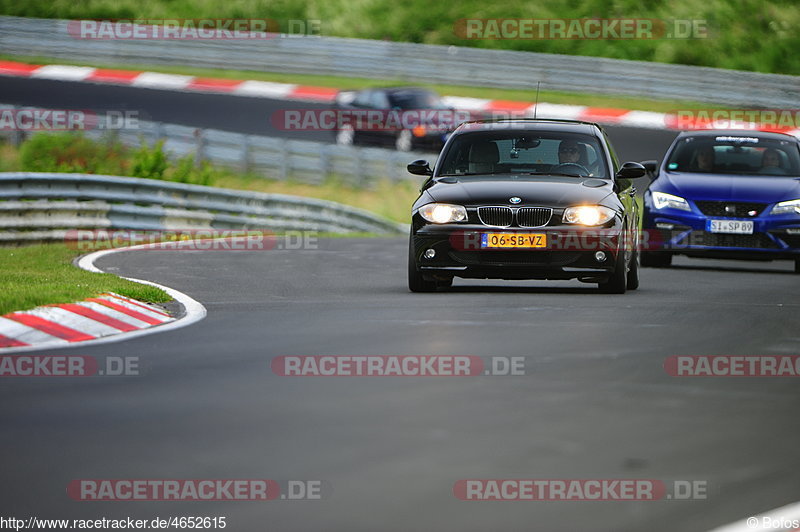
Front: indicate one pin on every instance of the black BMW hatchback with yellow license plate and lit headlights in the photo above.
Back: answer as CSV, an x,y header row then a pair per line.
x,y
525,199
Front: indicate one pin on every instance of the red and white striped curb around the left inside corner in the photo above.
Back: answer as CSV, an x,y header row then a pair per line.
x,y
106,318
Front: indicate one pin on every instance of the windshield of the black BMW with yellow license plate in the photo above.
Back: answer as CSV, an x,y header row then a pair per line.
x,y
525,152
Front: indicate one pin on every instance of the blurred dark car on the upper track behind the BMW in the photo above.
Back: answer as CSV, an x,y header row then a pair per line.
x,y
407,118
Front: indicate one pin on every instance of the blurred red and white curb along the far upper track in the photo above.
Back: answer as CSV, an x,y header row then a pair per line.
x,y
293,92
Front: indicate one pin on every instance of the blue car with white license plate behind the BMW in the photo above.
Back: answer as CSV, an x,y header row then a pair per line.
x,y
724,194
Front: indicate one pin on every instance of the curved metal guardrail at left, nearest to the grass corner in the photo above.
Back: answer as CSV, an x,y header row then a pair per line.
x,y
37,207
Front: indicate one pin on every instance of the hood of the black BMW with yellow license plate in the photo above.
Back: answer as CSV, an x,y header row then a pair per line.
x,y
550,191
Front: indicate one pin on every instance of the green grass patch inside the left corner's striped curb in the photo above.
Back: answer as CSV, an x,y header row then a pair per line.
x,y
43,274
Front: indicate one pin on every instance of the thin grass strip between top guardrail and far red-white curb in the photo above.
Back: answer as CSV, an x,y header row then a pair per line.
x,y
348,83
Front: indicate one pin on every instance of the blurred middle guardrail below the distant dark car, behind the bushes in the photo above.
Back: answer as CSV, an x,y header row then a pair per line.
x,y
272,157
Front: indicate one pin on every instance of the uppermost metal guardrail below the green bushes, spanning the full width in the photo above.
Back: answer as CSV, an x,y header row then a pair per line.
x,y
413,62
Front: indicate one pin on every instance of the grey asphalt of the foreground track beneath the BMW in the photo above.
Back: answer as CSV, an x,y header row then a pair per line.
x,y
595,402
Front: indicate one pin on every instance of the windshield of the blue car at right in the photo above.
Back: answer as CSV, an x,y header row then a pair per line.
x,y
735,154
